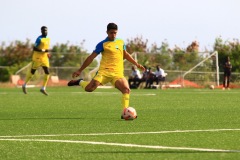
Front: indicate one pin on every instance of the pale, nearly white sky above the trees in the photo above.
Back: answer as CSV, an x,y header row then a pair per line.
x,y
179,22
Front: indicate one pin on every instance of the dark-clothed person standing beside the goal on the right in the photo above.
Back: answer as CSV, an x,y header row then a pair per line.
x,y
227,73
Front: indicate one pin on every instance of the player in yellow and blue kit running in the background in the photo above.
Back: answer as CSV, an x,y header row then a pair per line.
x,y
40,58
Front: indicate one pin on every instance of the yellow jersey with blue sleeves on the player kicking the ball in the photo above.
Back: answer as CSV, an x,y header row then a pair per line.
x,y
112,56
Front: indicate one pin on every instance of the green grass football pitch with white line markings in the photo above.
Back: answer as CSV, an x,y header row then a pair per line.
x,y
174,124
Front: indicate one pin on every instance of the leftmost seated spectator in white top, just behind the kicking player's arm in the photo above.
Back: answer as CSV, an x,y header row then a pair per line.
x,y
135,78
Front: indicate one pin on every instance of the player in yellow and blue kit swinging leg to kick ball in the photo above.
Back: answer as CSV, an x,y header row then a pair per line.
x,y
111,67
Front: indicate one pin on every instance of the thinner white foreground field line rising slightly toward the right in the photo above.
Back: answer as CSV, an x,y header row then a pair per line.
x,y
128,133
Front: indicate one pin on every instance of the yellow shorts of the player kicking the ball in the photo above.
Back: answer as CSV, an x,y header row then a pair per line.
x,y
104,79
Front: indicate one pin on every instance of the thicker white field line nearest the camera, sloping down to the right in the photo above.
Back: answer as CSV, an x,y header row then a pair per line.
x,y
123,145
